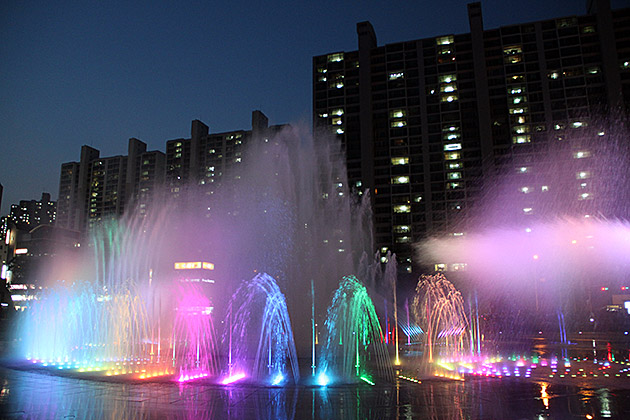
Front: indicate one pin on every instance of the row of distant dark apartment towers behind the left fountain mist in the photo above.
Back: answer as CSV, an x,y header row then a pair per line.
x,y
98,188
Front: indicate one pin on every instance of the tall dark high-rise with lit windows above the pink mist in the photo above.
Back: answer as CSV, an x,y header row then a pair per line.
x,y
429,124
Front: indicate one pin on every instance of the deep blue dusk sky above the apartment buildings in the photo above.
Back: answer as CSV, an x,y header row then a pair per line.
x,y
97,73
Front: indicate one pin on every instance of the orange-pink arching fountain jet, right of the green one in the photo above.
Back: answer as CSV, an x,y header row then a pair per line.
x,y
439,308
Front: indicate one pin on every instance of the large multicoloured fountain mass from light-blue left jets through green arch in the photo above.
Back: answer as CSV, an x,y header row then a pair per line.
x,y
289,213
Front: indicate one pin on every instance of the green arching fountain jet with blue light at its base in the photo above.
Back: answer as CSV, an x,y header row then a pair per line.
x,y
353,348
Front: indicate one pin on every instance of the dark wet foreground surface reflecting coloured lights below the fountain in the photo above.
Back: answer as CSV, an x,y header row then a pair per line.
x,y
37,395
